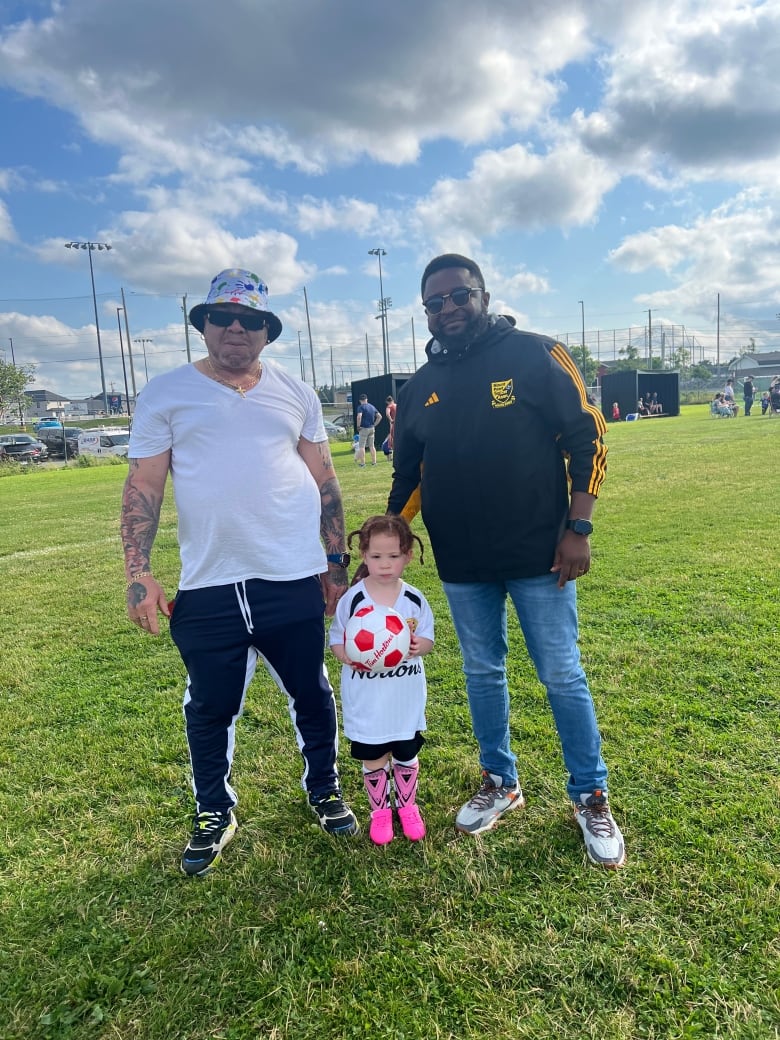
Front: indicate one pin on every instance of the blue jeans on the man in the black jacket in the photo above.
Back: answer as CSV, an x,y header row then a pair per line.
x,y
549,620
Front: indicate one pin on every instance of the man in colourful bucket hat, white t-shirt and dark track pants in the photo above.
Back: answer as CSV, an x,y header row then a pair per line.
x,y
239,436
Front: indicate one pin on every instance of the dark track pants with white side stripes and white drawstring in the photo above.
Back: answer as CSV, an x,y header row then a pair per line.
x,y
221,633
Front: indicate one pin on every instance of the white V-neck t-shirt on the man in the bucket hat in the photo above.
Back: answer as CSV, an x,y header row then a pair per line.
x,y
248,505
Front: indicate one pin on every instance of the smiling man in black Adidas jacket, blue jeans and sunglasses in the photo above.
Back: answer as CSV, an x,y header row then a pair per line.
x,y
509,517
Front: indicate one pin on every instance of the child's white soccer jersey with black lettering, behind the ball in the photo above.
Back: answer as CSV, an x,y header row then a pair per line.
x,y
377,709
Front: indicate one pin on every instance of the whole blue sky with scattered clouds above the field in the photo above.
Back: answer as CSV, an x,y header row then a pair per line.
x,y
626,159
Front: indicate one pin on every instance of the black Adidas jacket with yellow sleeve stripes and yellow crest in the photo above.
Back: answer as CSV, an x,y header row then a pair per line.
x,y
483,436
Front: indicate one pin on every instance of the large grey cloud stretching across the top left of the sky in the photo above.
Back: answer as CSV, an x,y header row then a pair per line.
x,y
460,71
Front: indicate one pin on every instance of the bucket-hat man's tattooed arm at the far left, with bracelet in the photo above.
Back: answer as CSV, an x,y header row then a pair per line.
x,y
142,502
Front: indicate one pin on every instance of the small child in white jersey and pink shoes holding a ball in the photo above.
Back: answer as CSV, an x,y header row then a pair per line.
x,y
384,714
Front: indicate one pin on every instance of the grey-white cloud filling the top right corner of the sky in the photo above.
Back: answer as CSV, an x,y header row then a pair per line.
x,y
690,86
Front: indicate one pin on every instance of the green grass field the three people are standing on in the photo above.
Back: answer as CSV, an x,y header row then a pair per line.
x,y
300,937
